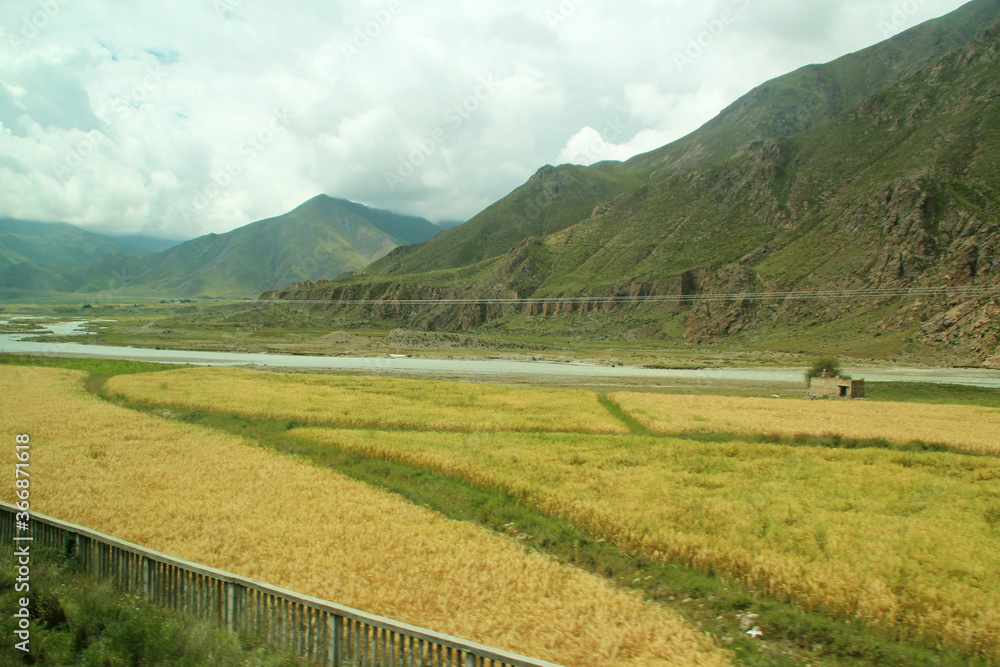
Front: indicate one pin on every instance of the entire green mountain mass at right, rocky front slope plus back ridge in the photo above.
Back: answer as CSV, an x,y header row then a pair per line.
x,y
884,188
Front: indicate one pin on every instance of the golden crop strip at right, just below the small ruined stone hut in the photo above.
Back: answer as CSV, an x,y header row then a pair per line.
x,y
975,429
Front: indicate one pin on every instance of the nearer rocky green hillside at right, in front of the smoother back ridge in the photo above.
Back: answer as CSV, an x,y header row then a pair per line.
x,y
897,191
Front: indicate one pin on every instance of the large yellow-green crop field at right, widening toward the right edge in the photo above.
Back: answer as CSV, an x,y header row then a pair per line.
x,y
907,541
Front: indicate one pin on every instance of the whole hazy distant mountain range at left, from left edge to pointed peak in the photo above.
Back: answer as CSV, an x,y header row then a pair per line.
x,y
320,239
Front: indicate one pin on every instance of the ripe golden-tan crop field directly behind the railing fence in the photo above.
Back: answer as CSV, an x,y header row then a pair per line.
x,y
218,500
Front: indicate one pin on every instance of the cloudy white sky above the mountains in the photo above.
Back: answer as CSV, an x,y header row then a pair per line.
x,y
182,118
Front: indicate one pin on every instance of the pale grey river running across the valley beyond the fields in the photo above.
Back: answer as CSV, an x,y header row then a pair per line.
x,y
11,343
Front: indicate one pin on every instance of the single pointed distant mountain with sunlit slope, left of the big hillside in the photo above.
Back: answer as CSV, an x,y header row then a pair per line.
x,y
321,239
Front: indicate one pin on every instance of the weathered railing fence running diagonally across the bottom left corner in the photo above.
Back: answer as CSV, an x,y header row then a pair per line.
x,y
322,632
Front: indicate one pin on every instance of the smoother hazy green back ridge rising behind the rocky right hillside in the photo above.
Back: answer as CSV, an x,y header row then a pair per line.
x,y
557,197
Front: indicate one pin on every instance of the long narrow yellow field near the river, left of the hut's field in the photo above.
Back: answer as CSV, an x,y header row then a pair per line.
x,y
362,401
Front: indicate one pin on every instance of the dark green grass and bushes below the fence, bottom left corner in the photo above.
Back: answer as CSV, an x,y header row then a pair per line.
x,y
78,620
